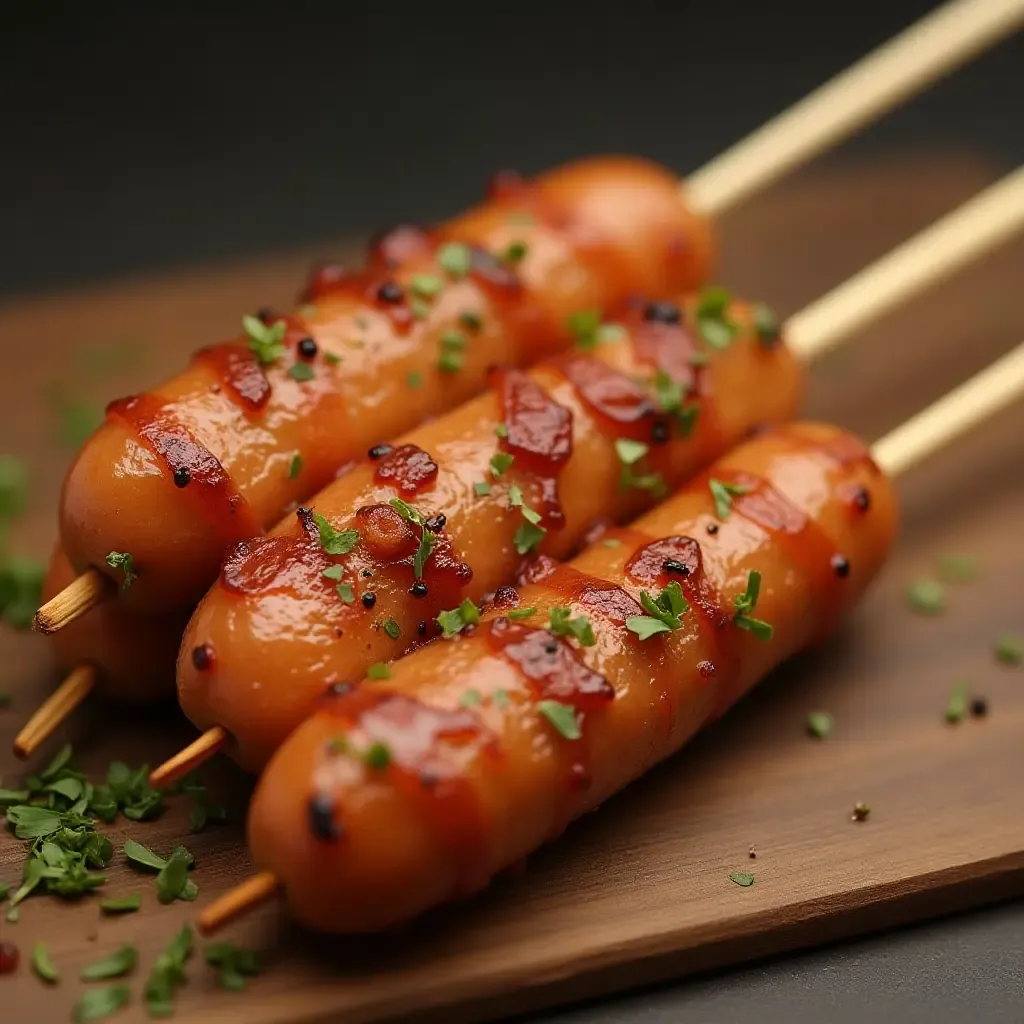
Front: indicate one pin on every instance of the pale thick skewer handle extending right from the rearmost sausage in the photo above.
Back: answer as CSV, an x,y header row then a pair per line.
x,y
932,48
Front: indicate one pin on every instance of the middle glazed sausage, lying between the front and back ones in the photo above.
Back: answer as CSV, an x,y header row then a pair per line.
x,y
525,468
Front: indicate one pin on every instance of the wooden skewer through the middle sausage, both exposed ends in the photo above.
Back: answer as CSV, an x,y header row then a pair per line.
x,y
979,225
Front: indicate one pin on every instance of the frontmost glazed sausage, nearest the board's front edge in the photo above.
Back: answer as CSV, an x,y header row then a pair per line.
x,y
401,794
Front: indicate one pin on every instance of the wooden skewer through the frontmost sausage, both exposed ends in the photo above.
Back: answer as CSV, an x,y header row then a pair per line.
x,y
983,397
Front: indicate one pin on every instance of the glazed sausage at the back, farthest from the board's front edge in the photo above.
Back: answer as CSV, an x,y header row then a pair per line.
x,y
253,426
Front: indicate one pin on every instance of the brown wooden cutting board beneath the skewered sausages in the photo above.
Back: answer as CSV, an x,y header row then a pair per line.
x,y
639,891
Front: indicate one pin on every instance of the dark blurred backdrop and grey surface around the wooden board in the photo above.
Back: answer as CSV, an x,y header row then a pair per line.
x,y
139,137
